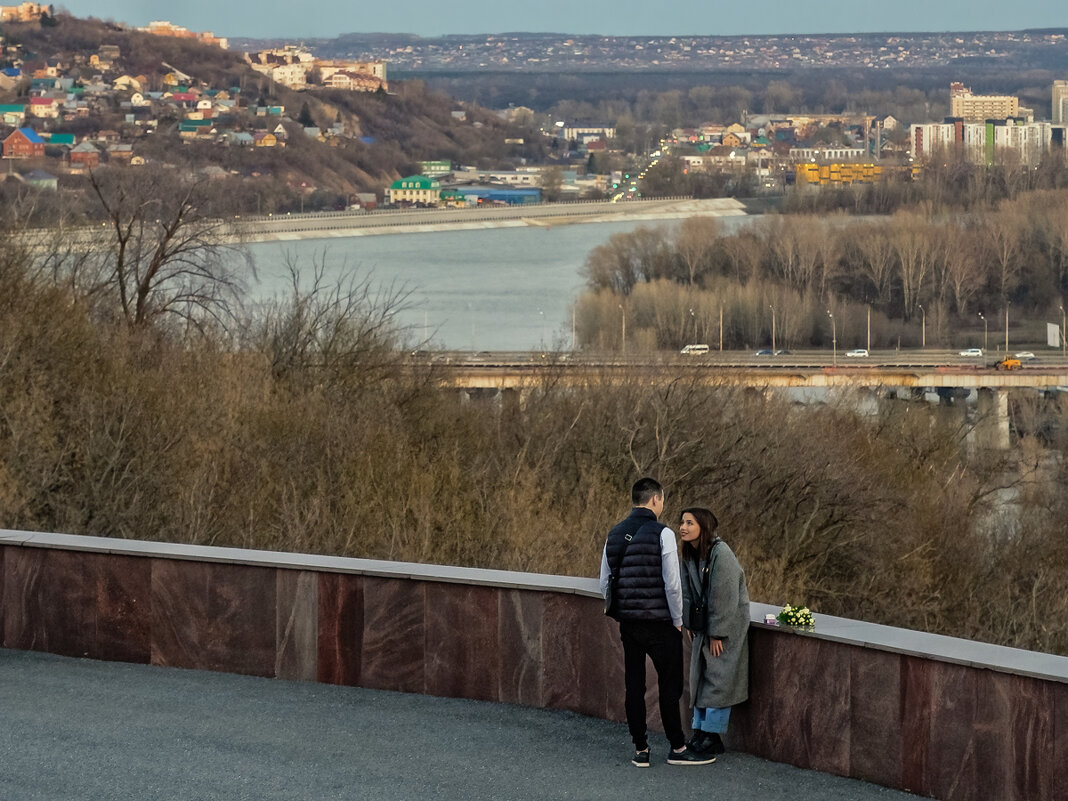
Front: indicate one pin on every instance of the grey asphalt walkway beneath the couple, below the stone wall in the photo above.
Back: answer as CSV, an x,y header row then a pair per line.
x,y
76,730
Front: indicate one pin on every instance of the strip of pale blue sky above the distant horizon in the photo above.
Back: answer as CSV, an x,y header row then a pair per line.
x,y
285,19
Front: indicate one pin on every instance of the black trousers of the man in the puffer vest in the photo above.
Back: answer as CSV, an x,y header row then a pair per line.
x,y
663,643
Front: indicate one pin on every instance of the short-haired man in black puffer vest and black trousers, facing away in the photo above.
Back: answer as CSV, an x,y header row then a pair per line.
x,y
642,558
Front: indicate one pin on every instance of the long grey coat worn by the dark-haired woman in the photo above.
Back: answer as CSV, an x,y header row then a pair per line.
x,y
723,681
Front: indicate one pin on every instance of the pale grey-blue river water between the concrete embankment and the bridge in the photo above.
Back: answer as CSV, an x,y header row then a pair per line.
x,y
508,289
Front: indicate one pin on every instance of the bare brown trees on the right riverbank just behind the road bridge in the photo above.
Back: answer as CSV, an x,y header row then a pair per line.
x,y
940,270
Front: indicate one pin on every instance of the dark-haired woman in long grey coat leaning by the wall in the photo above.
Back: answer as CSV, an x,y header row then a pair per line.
x,y
719,664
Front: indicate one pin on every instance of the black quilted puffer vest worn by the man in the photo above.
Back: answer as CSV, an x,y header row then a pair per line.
x,y
640,586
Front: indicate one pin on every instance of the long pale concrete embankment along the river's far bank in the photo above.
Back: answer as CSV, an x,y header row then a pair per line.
x,y
285,228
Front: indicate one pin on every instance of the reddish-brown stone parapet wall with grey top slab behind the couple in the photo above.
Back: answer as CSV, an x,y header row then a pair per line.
x,y
933,715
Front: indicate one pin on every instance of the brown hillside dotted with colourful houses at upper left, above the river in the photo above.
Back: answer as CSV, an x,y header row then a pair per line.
x,y
369,139
